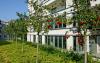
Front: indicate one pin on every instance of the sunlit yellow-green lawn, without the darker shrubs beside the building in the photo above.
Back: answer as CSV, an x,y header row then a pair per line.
x,y
11,52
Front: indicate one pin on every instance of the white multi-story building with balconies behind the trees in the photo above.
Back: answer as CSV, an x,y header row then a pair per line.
x,y
55,36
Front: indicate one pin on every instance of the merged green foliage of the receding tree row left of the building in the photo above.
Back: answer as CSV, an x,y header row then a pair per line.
x,y
17,28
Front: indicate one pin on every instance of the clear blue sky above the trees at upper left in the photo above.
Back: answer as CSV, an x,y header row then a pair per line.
x,y
8,8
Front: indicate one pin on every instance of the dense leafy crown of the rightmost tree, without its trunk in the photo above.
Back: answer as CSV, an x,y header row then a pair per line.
x,y
86,16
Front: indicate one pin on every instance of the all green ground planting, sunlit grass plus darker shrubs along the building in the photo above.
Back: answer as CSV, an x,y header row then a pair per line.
x,y
11,52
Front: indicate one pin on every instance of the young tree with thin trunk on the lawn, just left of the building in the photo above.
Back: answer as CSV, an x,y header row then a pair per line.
x,y
21,26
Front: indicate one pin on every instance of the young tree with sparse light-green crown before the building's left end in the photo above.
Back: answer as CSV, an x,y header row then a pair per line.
x,y
38,20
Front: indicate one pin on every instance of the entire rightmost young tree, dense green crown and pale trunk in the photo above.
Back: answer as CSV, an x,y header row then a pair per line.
x,y
84,16
